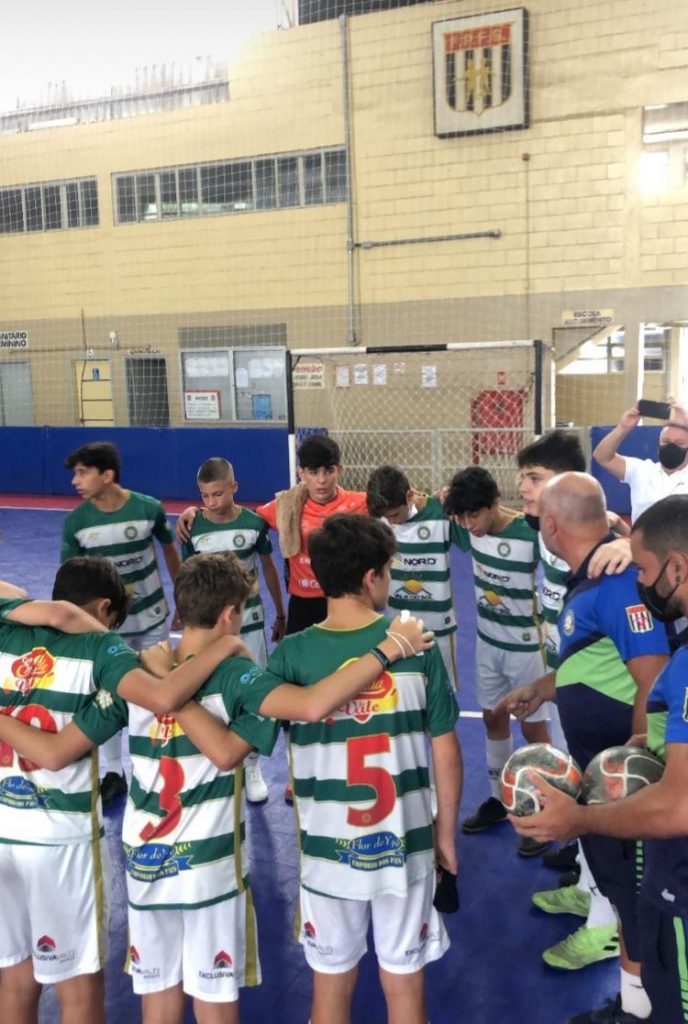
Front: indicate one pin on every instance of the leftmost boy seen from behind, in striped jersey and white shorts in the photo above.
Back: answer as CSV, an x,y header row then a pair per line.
x,y
55,882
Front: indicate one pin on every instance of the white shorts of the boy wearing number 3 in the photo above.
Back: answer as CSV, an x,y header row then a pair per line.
x,y
212,951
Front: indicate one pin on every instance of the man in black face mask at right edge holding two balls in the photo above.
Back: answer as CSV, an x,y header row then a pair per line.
x,y
660,813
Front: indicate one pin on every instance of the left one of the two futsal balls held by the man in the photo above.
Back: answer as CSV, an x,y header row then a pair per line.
x,y
520,794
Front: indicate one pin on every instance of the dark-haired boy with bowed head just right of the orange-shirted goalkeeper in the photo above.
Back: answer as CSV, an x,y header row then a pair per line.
x,y
420,574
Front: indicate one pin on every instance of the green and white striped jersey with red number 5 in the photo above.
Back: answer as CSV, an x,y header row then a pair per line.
x,y
361,777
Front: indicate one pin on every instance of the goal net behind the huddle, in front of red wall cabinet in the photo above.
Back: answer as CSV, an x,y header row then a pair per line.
x,y
429,410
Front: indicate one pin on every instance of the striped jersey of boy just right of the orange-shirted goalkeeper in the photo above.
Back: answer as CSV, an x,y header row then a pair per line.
x,y
420,573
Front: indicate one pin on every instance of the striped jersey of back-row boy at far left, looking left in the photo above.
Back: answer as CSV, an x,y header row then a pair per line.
x,y
125,539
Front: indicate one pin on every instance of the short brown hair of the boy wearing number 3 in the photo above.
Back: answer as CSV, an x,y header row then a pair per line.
x,y
207,584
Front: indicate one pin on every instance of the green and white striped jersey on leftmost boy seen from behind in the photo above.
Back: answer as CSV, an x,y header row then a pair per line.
x,y
47,678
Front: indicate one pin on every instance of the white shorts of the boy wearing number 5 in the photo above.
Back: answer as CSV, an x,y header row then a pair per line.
x,y
407,930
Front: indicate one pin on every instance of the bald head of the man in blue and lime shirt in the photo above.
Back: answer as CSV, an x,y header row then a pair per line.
x,y
573,515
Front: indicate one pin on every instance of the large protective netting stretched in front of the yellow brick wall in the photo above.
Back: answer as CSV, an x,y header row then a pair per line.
x,y
366,174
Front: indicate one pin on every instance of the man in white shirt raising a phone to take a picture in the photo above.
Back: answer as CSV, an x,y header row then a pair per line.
x,y
649,481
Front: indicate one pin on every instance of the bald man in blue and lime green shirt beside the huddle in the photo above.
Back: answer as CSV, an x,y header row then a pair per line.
x,y
612,651
